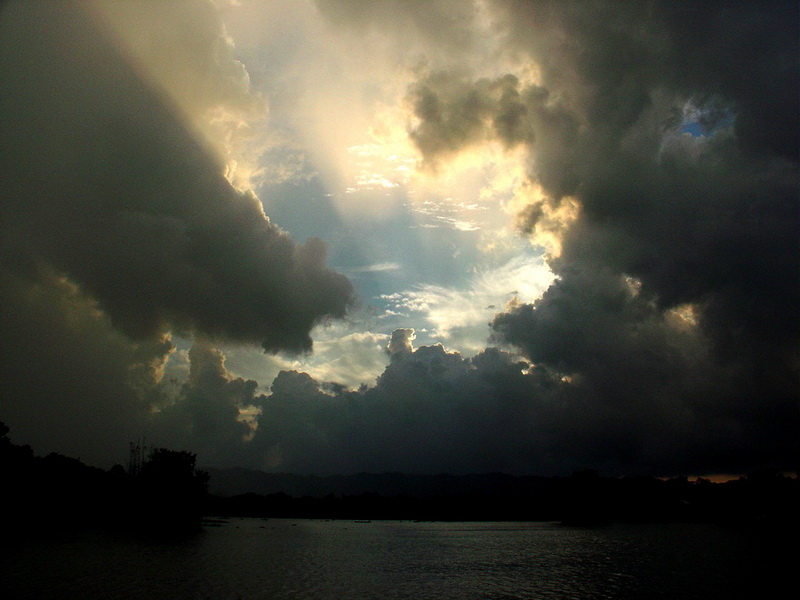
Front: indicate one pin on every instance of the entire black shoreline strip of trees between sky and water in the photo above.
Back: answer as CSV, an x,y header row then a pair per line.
x,y
163,491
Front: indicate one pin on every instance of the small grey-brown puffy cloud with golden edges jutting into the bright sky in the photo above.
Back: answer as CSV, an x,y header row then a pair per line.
x,y
455,114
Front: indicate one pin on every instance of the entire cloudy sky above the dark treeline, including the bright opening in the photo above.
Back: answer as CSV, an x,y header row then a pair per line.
x,y
431,236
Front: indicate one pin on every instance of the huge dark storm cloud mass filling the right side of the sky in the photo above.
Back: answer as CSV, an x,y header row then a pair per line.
x,y
710,222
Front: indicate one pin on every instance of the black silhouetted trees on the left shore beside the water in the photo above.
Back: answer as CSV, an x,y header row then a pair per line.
x,y
162,491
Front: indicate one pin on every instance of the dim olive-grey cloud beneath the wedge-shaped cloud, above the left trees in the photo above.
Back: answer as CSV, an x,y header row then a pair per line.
x,y
72,383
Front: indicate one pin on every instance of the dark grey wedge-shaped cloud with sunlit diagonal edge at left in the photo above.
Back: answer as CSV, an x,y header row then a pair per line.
x,y
102,183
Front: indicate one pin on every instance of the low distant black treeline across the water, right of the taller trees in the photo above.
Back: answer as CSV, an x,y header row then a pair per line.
x,y
583,498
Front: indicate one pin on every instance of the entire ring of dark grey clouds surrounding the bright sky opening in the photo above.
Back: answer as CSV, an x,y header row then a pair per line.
x,y
668,343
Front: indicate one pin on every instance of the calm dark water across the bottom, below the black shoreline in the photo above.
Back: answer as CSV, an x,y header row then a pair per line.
x,y
284,559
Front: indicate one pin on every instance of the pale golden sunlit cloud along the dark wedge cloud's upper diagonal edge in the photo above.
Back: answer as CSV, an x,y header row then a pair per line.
x,y
199,76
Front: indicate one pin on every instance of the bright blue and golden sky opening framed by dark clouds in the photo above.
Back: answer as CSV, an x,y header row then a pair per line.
x,y
433,251
